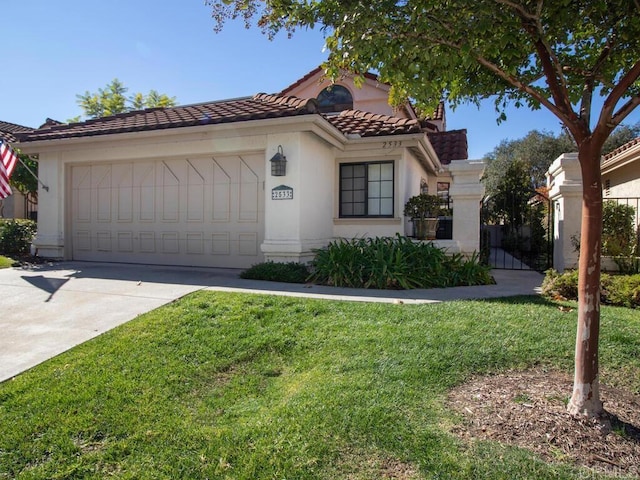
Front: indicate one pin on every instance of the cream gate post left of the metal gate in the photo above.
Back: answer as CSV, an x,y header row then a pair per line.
x,y
466,194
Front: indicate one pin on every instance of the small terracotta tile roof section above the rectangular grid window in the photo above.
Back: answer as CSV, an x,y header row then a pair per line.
x,y
356,122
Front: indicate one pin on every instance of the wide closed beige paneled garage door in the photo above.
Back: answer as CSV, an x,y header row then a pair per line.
x,y
203,211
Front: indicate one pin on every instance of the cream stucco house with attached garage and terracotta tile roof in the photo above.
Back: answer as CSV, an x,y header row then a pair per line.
x,y
235,182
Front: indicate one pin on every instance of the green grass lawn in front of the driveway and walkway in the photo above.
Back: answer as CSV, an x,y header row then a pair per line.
x,y
235,386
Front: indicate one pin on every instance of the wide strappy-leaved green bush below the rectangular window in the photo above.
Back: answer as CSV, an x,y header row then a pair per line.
x,y
394,263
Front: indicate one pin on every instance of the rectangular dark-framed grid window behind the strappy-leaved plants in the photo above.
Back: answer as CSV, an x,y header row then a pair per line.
x,y
366,189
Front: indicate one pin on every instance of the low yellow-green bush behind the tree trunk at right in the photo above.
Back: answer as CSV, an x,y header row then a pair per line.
x,y
618,290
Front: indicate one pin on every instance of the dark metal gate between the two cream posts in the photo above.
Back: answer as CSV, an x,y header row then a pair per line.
x,y
517,234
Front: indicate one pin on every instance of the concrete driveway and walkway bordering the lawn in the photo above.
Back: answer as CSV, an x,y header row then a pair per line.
x,y
47,309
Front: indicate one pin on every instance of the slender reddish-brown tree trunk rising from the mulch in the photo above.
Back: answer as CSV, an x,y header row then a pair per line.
x,y
586,396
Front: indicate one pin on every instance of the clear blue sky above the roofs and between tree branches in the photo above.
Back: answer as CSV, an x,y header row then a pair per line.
x,y
54,51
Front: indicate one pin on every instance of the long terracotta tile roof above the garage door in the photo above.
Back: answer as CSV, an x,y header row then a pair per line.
x,y
260,106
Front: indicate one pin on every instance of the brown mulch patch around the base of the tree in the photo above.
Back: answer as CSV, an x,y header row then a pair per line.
x,y
528,410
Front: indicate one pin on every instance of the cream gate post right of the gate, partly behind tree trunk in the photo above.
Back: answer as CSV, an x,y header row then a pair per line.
x,y
565,192
